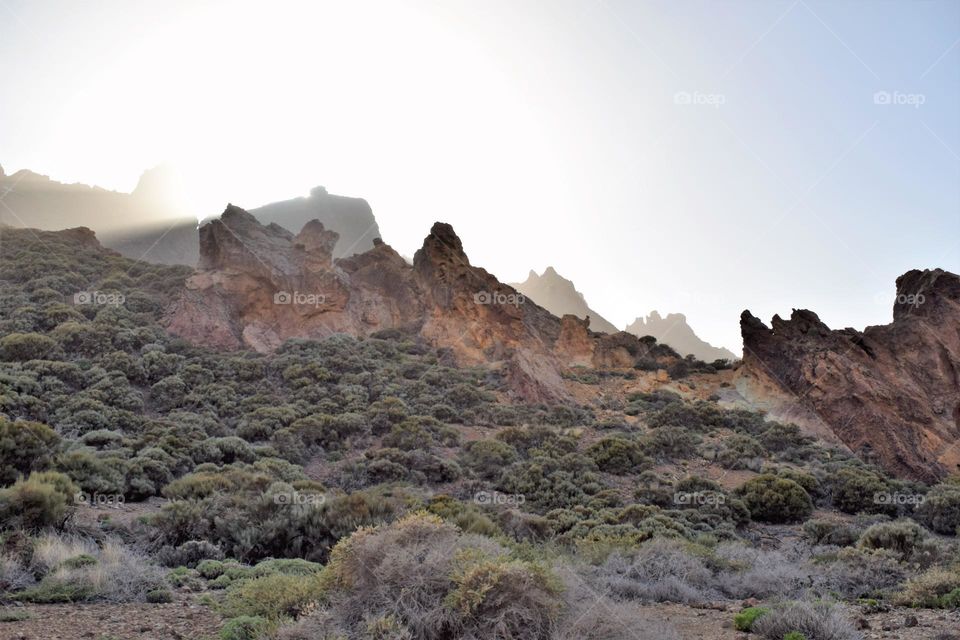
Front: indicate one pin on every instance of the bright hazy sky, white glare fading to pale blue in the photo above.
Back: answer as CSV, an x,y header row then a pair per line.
x,y
684,156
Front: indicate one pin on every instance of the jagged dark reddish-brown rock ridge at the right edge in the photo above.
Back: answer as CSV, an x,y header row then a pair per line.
x,y
891,392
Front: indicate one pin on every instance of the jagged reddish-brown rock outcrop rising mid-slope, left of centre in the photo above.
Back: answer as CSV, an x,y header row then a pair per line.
x,y
257,286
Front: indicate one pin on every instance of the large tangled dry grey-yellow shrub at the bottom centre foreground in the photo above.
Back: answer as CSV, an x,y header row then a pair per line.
x,y
422,578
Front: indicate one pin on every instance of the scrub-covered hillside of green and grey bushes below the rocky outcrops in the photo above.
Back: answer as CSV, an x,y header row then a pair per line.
x,y
337,485
